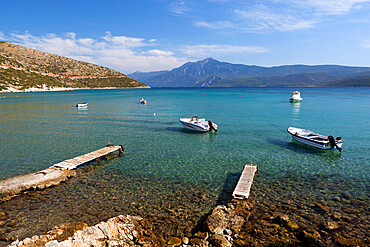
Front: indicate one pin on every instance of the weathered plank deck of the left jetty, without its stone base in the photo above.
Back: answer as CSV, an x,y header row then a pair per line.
x,y
80,160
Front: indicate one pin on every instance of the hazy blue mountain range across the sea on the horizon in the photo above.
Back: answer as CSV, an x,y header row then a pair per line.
x,y
212,73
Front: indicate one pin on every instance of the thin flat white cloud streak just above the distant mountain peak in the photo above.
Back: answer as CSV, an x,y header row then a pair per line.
x,y
215,50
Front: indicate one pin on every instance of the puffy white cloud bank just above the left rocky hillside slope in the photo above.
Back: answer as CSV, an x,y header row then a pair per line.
x,y
122,53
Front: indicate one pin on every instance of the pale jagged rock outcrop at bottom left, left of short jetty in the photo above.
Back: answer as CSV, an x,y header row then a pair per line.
x,y
117,231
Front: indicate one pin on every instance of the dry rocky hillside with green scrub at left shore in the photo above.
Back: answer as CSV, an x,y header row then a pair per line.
x,y
23,68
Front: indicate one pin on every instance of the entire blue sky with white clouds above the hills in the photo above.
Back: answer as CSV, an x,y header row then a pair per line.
x,y
153,35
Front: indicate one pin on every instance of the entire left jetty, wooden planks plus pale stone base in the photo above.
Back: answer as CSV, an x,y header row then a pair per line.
x,y
51,176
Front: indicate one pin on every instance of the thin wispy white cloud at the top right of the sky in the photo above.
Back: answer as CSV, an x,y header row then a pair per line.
x,y
279,15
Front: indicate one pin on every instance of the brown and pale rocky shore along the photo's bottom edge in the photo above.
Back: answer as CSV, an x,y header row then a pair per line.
x,y
238,223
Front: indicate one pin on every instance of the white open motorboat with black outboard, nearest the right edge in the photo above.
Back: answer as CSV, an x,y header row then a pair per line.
x,y
315,140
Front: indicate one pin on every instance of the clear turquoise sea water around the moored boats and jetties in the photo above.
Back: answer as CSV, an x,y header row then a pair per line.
x,y
38,130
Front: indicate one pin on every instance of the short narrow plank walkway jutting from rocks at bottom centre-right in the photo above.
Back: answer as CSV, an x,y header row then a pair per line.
x,y
243,187
